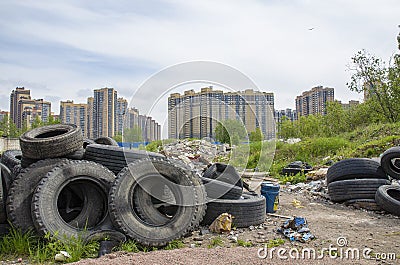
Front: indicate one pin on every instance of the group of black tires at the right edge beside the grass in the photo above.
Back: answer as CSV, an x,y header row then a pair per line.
x,y
363,180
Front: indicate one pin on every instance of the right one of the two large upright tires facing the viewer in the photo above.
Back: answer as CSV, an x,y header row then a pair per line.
x,y
129,222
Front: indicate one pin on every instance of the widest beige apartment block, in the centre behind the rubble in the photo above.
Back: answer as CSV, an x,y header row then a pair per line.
x,y
196,114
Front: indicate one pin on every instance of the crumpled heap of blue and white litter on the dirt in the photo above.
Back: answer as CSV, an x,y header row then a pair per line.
x,y
296,229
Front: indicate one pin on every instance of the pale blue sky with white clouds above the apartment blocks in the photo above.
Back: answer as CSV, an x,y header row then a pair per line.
x,y
62,50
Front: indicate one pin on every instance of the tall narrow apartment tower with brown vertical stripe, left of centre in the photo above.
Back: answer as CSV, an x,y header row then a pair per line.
x,y
105,116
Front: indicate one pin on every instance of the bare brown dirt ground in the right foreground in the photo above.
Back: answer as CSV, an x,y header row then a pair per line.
x,y
354,228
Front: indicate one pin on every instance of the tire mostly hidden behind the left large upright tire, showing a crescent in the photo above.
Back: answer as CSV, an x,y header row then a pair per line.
x,y
21,191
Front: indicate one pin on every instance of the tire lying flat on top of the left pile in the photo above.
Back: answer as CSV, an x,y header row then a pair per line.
x,y
51,141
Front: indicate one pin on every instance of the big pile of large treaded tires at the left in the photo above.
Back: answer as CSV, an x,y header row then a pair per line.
x,y
58,190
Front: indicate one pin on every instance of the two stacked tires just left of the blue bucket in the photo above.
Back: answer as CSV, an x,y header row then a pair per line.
x,y
225,195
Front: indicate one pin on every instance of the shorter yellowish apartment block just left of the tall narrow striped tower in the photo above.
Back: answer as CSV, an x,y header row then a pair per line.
x,y
75,113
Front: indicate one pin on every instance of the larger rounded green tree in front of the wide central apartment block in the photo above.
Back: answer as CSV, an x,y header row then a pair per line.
x,y
230,131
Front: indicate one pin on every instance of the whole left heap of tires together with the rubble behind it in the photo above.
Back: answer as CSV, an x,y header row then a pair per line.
x,y
67,186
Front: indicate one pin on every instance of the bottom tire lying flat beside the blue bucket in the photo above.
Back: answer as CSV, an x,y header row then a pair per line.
x,y
247,211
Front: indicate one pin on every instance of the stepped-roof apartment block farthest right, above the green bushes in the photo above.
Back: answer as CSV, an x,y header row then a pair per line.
x,y
314,101
